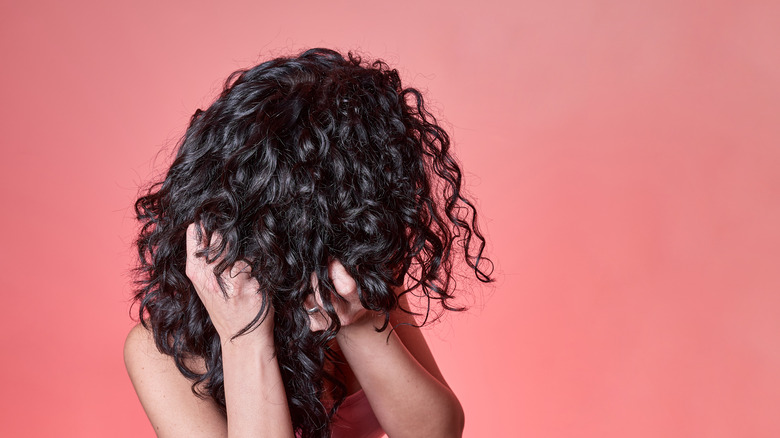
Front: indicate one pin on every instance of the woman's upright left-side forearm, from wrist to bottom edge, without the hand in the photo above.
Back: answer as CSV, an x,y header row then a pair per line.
x,y
254,391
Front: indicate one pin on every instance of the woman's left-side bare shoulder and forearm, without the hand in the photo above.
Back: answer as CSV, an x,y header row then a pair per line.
x,y
175,411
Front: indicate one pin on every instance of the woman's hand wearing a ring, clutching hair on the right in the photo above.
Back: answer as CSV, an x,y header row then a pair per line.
x,y
348,308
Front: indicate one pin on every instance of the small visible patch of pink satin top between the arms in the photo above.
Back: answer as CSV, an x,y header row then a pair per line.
x,y
356,419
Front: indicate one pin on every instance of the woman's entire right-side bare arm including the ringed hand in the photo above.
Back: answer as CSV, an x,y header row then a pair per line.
x,y
396,370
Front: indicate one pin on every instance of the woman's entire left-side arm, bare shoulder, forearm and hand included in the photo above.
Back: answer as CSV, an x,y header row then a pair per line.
x,y
254,391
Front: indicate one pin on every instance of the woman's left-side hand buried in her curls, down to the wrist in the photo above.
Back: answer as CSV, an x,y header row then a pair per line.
x,y
243,302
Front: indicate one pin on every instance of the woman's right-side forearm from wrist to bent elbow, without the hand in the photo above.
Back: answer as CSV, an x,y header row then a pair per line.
x,y
407,400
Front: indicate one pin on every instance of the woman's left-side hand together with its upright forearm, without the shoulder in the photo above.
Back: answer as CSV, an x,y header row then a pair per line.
x,y
255,399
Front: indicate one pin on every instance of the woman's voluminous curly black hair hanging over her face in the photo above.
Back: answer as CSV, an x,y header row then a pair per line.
x,y
301,161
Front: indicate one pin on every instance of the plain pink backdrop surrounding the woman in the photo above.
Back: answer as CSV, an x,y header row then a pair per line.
x,y
625,156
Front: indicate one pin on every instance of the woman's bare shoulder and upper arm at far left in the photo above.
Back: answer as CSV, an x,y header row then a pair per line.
x,y
165,394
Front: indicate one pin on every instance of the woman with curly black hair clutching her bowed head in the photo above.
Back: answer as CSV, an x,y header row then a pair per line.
x,y
311,213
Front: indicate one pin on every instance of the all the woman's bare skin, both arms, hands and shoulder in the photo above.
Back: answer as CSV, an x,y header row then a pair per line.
x,y
397,372
